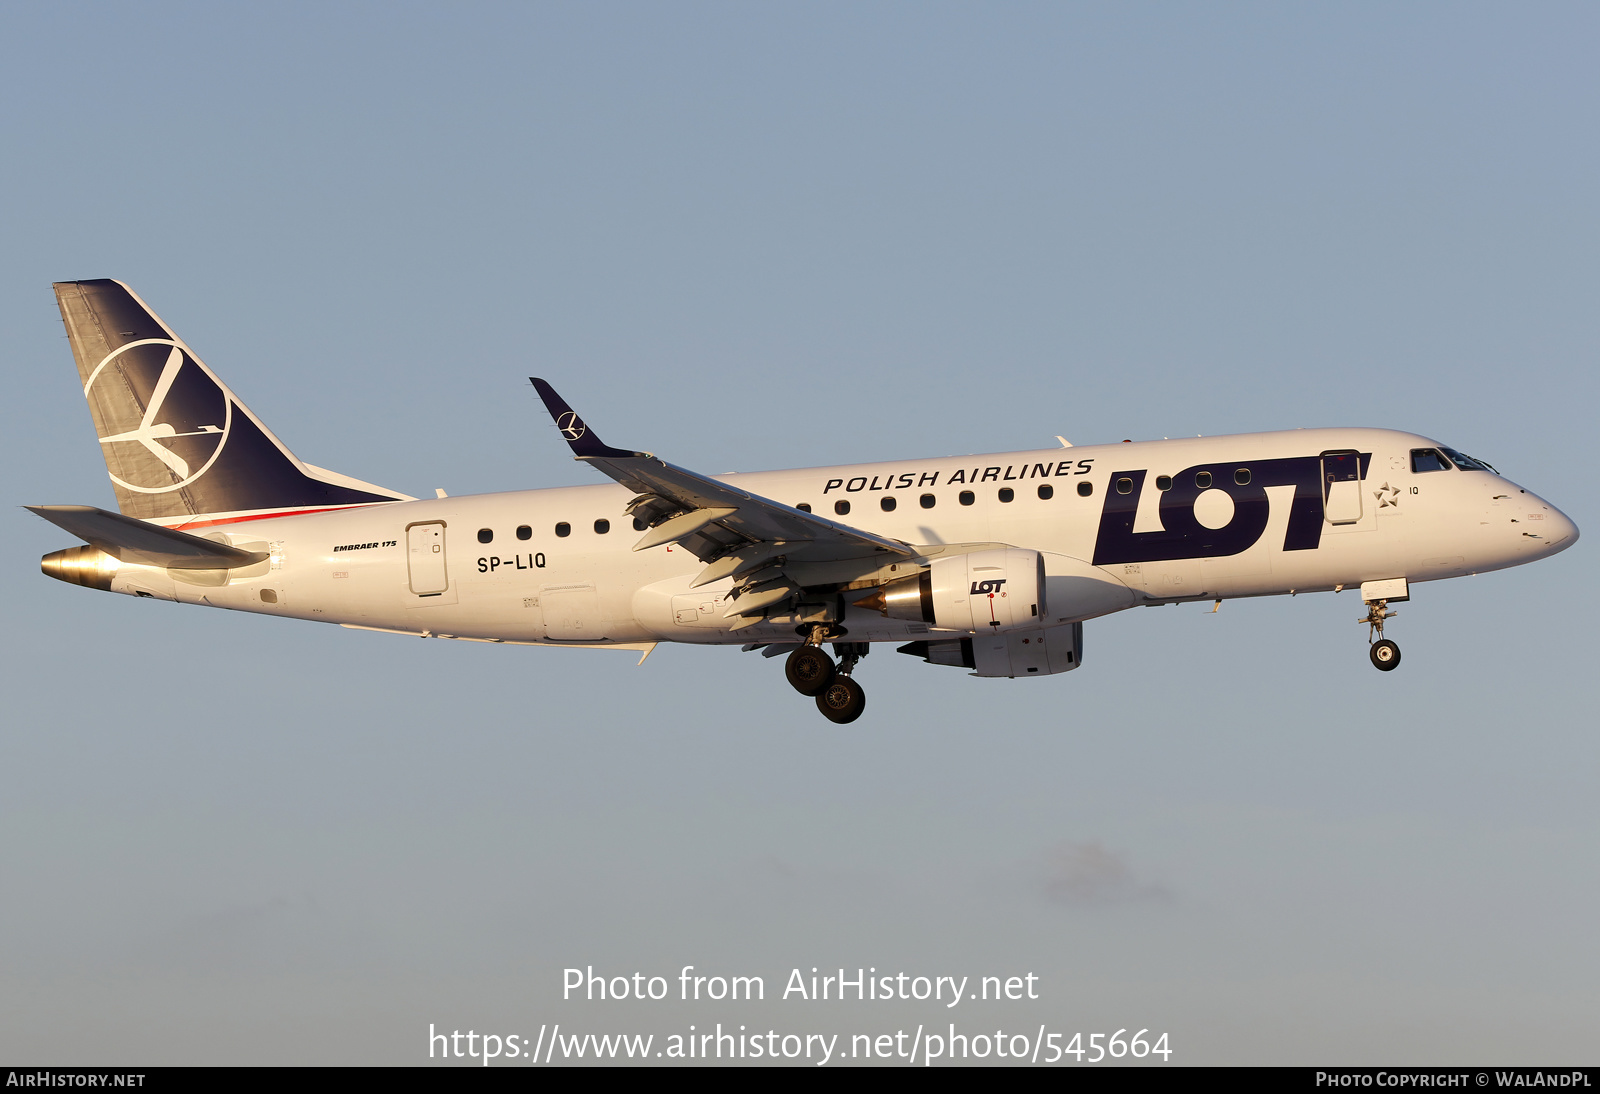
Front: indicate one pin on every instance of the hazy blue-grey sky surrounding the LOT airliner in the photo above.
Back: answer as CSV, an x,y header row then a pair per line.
x,y
767,236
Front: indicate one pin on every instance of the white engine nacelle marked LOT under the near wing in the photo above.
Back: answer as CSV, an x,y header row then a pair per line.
x,y
986,593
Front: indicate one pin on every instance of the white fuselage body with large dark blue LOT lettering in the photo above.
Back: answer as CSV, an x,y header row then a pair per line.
x,y
1124,543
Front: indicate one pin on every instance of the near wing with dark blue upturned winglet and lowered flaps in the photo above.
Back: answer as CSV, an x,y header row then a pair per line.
x,y
738,533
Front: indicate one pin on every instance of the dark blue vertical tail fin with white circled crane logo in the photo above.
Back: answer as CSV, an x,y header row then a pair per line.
x,y
177,441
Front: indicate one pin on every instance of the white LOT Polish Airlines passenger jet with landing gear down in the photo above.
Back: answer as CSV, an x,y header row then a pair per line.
x,y
990,564
